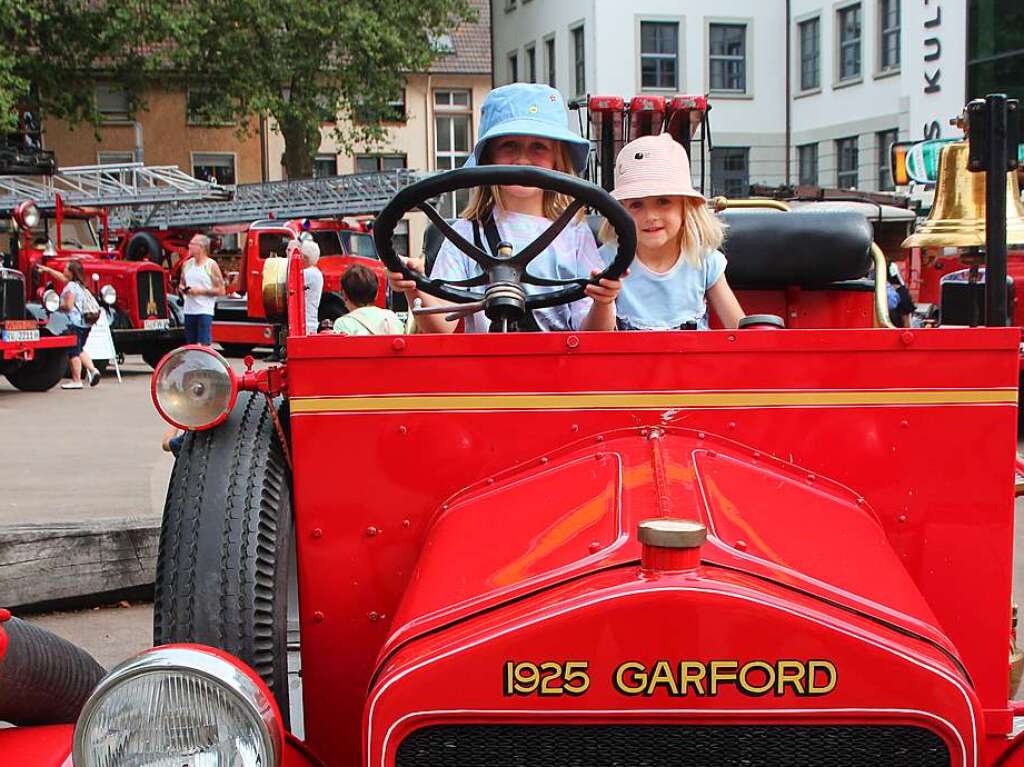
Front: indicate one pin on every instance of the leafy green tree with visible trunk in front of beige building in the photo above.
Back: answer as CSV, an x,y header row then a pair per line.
x,y
304,62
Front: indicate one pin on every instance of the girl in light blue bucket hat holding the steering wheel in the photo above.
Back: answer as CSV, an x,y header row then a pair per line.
x,y
525,124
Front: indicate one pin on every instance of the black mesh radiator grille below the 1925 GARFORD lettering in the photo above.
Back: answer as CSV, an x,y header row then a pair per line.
x,y
661,746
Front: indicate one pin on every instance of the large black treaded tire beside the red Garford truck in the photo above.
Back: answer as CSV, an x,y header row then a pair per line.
x,y
225,544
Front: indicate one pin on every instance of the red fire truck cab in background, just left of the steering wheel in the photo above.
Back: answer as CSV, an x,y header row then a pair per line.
x,y
241,323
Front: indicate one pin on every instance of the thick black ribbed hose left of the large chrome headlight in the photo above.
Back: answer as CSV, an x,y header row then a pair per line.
x,y
44,679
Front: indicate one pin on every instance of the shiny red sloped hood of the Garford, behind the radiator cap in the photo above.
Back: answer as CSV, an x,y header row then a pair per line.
x,y
574,514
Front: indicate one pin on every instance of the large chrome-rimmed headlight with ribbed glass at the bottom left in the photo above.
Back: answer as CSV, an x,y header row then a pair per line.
x,y
177,706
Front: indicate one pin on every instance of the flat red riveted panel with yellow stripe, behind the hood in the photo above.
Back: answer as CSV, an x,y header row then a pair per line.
x,y
872,410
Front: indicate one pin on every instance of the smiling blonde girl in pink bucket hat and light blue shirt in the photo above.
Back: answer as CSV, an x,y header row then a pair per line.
x,y
678,270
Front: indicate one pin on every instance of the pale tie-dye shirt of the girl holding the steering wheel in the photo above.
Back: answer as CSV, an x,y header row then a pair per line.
x,y
573,254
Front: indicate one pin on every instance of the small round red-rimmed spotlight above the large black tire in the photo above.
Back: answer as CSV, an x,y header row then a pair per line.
x,y
194,388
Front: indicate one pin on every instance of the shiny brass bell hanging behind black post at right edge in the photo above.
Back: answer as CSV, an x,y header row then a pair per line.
x,y
958,216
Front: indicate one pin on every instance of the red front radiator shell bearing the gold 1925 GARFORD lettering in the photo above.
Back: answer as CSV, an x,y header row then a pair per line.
x,y
713,616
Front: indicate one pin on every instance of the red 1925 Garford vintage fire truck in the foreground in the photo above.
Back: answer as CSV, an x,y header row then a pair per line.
x,y
718,548
